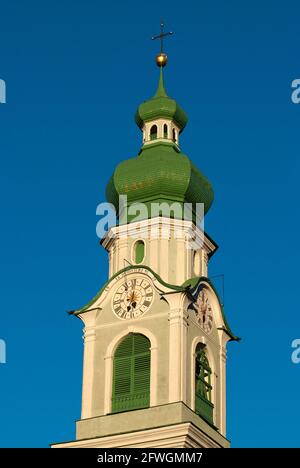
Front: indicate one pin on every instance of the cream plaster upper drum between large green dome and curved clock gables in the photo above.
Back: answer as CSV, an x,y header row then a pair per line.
x,y
176,250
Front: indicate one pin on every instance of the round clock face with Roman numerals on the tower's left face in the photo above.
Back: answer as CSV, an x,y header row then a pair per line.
x,y
133,298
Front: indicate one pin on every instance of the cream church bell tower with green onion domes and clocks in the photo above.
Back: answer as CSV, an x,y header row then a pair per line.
x,y
155,334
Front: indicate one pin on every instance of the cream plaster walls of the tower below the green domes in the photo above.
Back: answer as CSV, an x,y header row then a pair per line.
x,y
172,329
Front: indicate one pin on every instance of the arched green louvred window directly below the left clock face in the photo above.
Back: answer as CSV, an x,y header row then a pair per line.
x,y
131,374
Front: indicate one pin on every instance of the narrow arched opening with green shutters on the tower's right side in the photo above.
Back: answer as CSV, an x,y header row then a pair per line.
x,y
203,387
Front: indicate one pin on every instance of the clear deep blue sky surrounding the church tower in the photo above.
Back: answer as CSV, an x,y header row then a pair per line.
x,y
75,73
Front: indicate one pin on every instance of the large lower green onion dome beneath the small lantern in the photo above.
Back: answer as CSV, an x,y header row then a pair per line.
x,y
160,173
